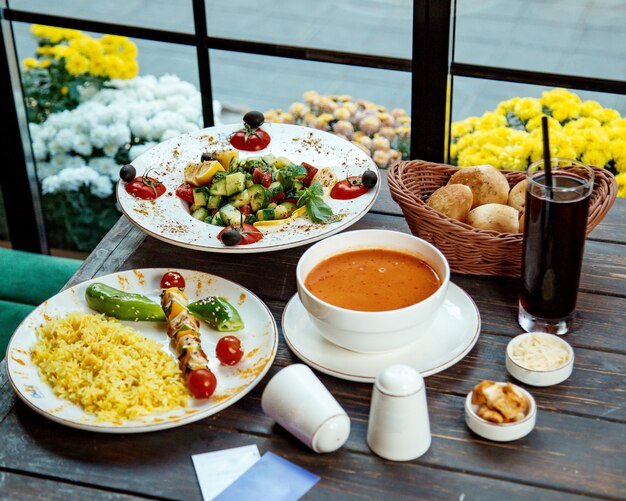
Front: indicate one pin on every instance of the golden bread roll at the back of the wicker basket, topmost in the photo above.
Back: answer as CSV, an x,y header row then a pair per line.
x,y
487,183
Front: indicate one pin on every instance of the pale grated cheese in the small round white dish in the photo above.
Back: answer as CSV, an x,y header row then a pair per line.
x,y
539,352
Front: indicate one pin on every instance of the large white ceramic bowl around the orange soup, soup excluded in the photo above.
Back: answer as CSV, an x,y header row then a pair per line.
x,y
372,331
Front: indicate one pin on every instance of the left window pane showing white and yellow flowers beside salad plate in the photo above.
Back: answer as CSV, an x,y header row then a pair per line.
x,y
94,103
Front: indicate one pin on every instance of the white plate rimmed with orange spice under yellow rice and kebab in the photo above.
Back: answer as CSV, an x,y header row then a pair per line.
x,y
259,339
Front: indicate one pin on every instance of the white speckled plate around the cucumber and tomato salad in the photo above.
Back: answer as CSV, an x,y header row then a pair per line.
x,y
167,218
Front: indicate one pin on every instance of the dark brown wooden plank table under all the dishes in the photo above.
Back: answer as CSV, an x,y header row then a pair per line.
x,y
578,447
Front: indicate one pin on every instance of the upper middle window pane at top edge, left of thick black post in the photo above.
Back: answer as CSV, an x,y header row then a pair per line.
x,y
379,27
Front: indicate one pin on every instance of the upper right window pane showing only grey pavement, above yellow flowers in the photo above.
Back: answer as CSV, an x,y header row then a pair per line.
x,y
578,37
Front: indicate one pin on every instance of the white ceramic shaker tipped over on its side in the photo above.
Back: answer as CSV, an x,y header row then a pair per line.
x,y
301,404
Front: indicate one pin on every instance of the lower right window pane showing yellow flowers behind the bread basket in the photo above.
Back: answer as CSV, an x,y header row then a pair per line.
x,y
499,123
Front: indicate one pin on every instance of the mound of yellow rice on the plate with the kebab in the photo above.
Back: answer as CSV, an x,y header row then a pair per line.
x,y
107,368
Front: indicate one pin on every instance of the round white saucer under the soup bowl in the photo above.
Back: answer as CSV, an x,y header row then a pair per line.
x,y
451,336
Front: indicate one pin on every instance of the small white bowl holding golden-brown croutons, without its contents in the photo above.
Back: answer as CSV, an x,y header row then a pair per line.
x,y
505,432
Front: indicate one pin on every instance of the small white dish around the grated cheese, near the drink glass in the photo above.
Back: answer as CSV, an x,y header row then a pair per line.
x,y
538,377
